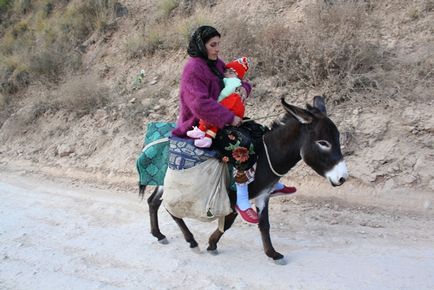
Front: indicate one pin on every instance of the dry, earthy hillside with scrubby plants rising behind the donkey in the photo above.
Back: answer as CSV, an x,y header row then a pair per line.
x,y
73,102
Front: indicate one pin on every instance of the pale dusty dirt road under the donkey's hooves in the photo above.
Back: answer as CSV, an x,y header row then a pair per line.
x,y
57,236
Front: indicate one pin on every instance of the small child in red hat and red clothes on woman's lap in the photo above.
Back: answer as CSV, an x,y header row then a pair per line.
x,y
229,98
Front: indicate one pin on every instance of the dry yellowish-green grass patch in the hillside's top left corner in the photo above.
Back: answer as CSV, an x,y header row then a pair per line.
x,y
41,44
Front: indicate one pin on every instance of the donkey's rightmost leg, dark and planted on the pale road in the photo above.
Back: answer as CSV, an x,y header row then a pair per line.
x,y
264,227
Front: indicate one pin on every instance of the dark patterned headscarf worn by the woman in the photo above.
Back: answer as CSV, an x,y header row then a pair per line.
x,y
196,48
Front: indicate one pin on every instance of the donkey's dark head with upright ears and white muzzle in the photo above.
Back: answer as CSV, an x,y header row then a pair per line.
x,y
320,147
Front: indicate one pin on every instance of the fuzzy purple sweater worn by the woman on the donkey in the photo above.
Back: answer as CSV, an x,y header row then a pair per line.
x,y
199,90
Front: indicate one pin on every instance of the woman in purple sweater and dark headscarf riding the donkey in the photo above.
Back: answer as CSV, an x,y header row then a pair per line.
x,y
200,87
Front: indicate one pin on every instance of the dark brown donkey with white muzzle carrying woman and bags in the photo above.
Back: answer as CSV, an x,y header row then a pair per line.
x,y
306,134
